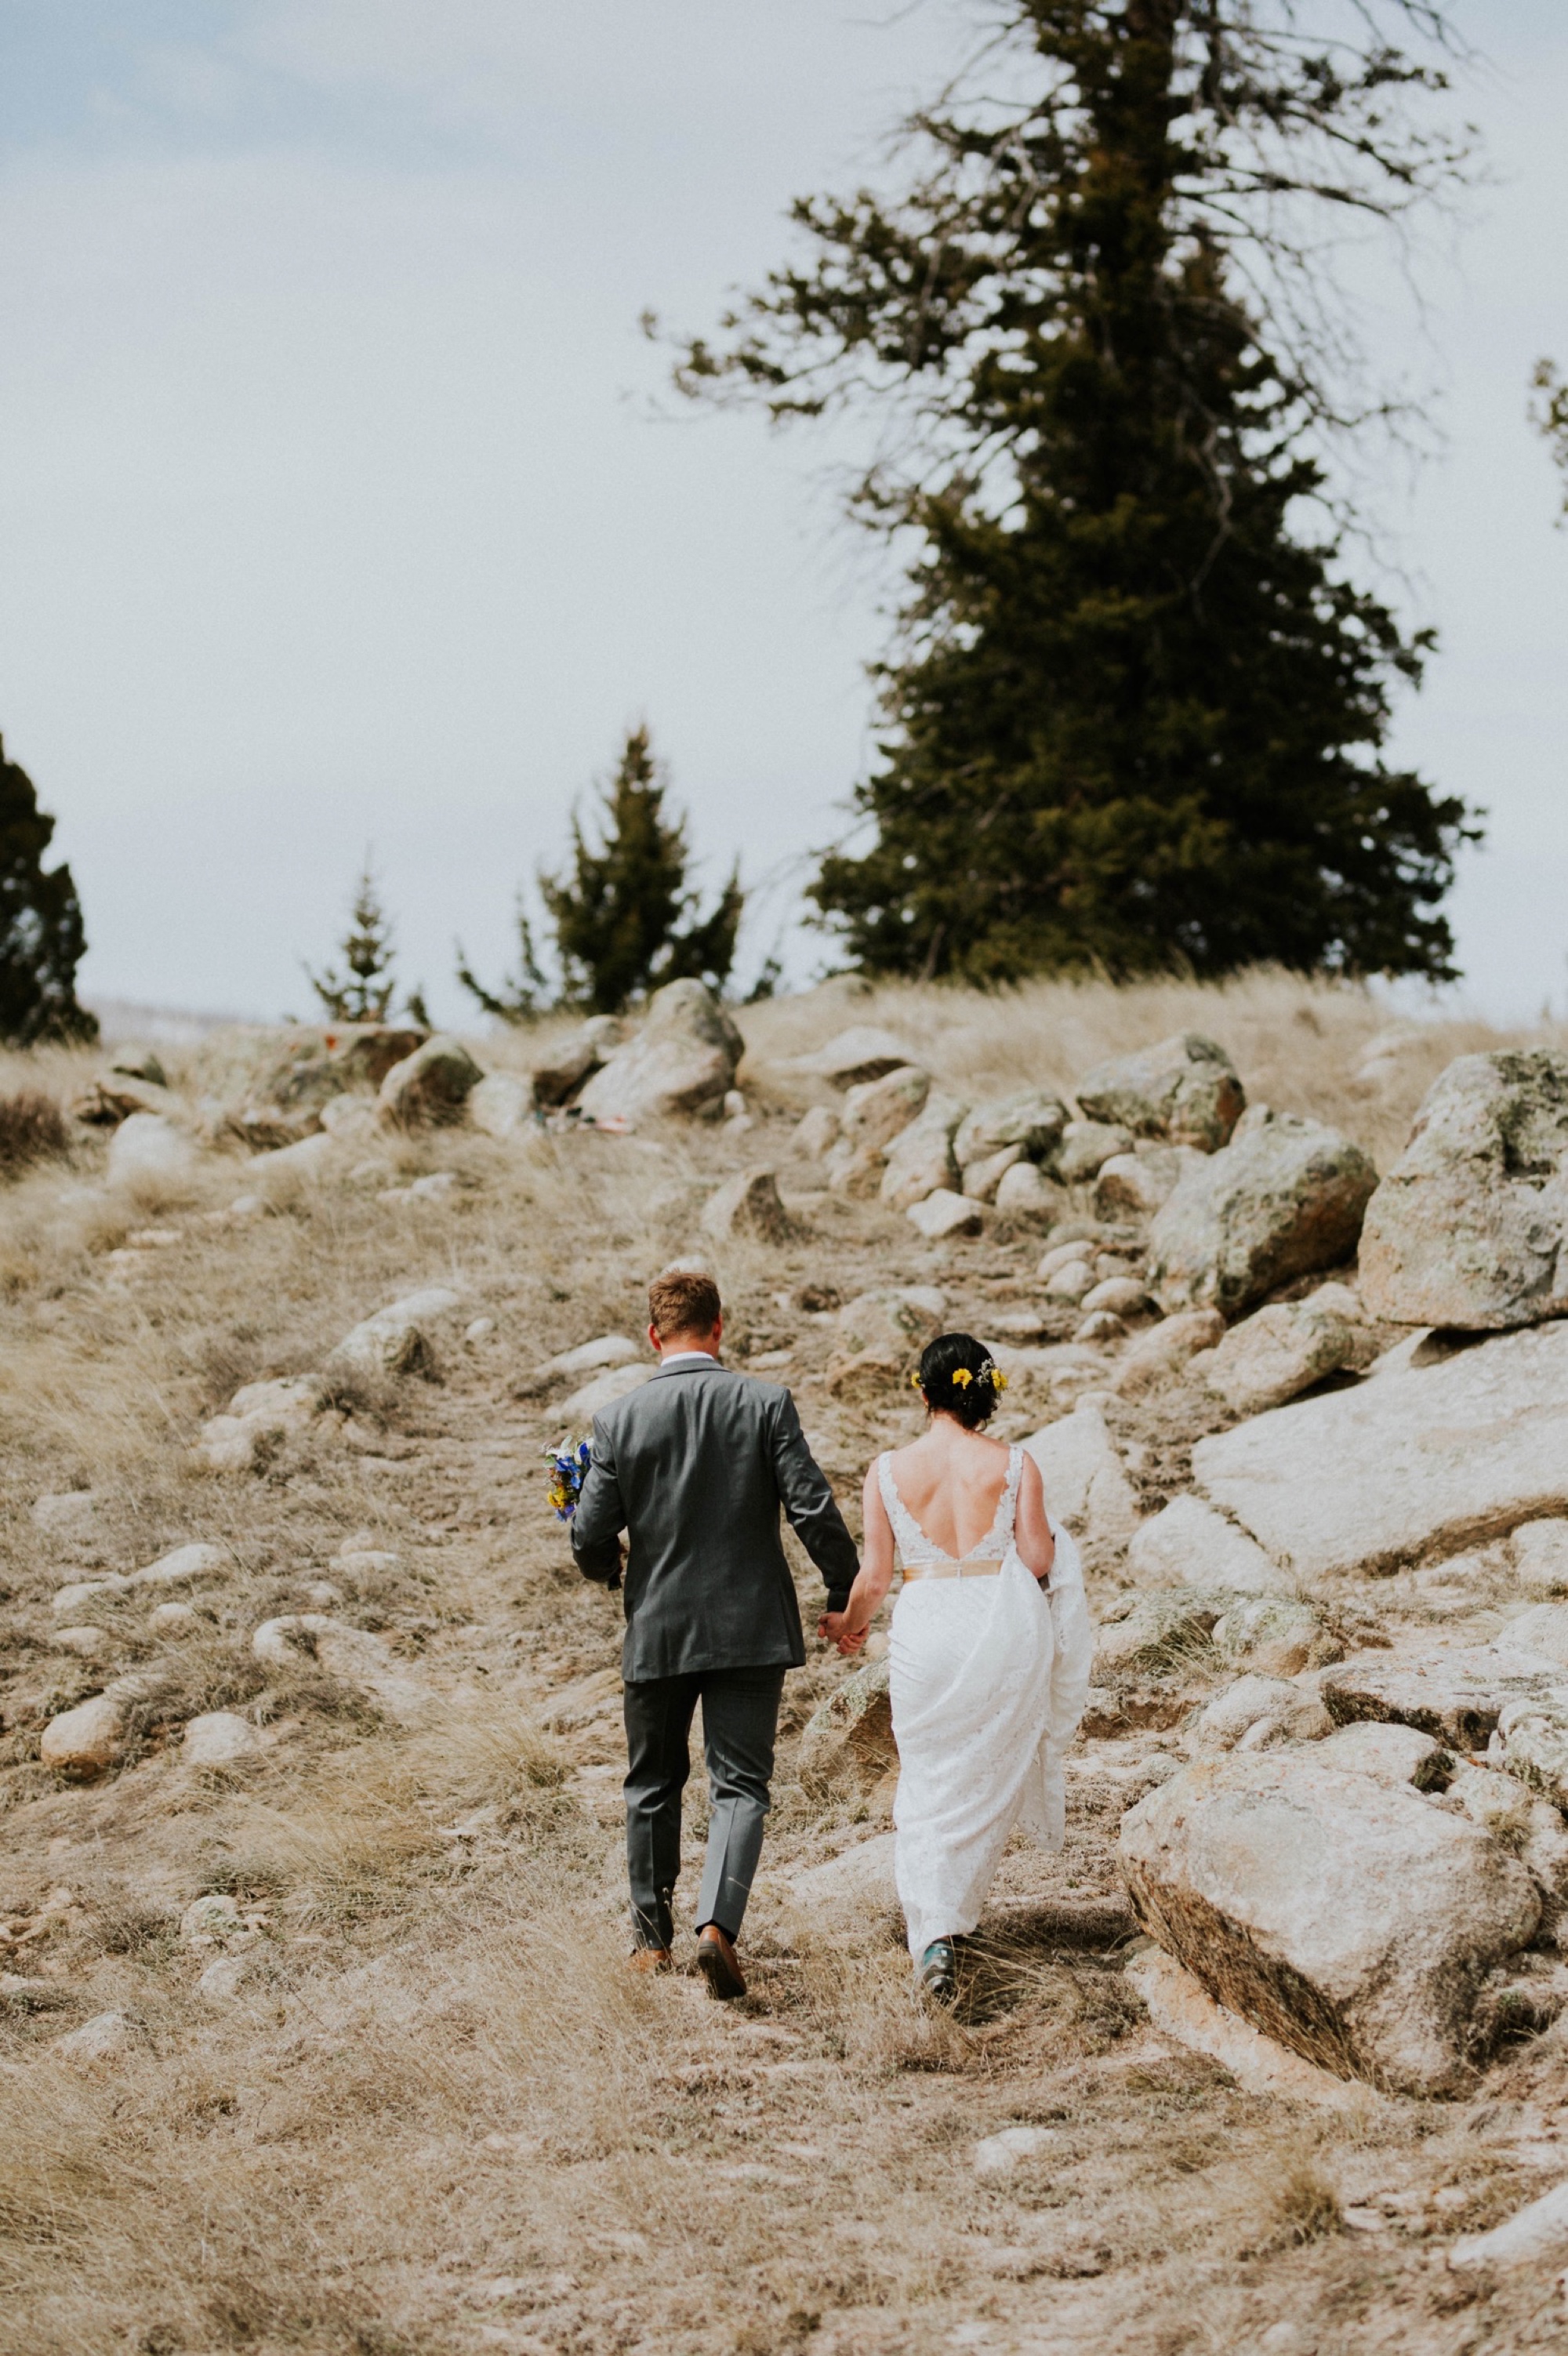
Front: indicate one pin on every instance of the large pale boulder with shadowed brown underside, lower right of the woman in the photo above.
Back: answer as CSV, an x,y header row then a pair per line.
x,y
1343,1914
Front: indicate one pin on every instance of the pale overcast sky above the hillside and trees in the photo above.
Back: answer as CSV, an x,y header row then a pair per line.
x,y
335,510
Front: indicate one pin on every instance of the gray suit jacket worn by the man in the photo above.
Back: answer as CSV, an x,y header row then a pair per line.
x,y
696,1467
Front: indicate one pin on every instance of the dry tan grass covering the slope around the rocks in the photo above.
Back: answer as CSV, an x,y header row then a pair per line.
x,y
437,2115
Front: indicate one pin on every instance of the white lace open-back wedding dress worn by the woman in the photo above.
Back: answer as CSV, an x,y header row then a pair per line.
x,y
988,1683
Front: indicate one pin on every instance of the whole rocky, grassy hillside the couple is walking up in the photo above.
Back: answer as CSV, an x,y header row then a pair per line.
x,y
314,2030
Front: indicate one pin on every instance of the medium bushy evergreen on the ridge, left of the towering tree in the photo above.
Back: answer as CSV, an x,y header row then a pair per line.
x,y
625,918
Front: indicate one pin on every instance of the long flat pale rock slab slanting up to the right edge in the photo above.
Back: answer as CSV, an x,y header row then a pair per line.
x,y
1407,1467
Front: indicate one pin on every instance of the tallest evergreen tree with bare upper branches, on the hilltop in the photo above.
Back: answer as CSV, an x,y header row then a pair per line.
x,y
1136,713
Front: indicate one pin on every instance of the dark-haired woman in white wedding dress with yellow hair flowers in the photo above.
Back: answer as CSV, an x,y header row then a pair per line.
x,y
990,1653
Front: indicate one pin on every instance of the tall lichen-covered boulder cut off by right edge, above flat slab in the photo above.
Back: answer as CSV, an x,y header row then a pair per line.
x,y
1470,1229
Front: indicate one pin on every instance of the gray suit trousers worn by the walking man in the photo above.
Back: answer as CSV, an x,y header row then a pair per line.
x,y
740,1721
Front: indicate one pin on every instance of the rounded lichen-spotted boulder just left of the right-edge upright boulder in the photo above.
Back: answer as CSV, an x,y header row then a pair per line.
x,y
1284,1200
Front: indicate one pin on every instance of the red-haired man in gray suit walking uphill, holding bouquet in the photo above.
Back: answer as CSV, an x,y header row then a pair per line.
x,y
696,1467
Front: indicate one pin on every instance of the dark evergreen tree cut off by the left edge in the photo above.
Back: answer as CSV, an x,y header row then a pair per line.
x,y
41,925
